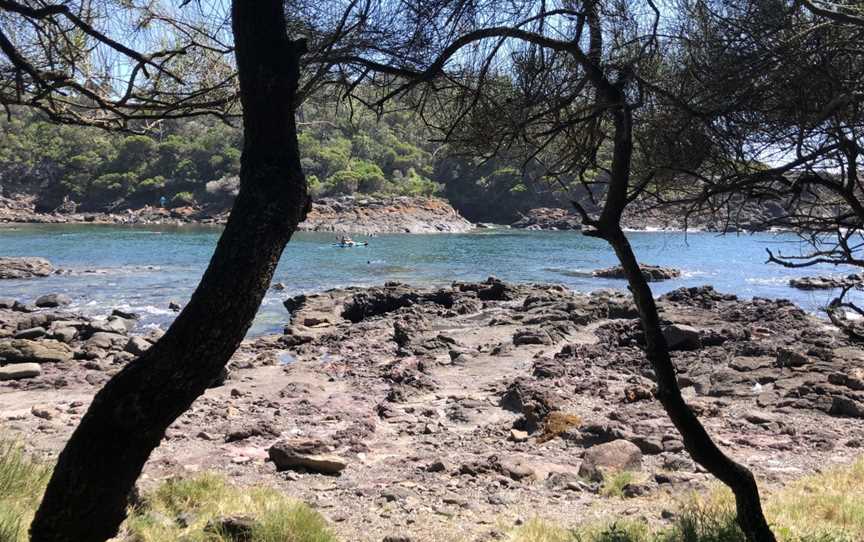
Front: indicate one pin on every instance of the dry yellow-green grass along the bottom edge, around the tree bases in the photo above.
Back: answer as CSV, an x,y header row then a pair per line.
x,y
826,507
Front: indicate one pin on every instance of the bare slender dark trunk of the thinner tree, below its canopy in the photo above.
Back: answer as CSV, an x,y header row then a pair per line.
x,y
697,441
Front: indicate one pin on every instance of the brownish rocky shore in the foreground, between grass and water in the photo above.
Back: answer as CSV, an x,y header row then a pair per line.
x,y
452,410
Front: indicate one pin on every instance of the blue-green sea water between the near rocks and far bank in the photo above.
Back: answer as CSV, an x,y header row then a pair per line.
x,y
143,268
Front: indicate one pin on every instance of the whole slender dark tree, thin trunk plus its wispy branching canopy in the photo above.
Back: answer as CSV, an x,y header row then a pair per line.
x,y
591,91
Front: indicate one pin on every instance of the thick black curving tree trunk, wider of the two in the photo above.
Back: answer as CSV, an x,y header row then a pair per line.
x,y
87,496
